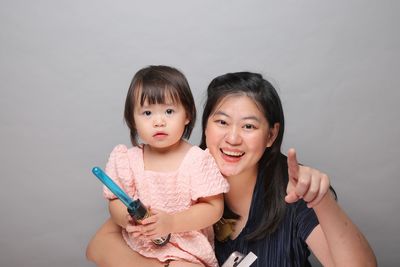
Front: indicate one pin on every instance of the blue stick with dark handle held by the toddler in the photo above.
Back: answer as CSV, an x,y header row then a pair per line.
x,y
135,207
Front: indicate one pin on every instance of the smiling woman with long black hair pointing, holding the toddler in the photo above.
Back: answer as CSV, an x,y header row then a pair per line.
x,y
243,127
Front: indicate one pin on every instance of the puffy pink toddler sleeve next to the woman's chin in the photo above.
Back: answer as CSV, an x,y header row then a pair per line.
x,y
206,179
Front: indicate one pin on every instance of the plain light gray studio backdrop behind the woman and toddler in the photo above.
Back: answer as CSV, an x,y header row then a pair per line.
x,y
66,66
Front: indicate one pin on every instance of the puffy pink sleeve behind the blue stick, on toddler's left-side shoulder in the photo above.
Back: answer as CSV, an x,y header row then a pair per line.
x,y
119,171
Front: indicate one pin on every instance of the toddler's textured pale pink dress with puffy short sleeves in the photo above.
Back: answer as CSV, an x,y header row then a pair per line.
x,y
197,176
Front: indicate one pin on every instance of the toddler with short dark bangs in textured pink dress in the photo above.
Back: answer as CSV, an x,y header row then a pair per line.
x,y
180,183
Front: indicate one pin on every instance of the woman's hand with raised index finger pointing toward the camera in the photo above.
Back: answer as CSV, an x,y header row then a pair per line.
x,y
305,183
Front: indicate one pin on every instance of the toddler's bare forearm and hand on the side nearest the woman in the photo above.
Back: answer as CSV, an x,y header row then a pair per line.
x,y
201,215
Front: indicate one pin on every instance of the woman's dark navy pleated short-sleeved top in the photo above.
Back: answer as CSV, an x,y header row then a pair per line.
x,y
285,247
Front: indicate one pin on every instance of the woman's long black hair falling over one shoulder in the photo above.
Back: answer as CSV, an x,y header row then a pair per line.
x,y
273,164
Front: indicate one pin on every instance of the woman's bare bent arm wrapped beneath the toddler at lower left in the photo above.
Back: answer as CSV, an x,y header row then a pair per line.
x,y
108,249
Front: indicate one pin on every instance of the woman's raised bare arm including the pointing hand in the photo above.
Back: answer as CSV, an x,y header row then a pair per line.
x,y
336,241
